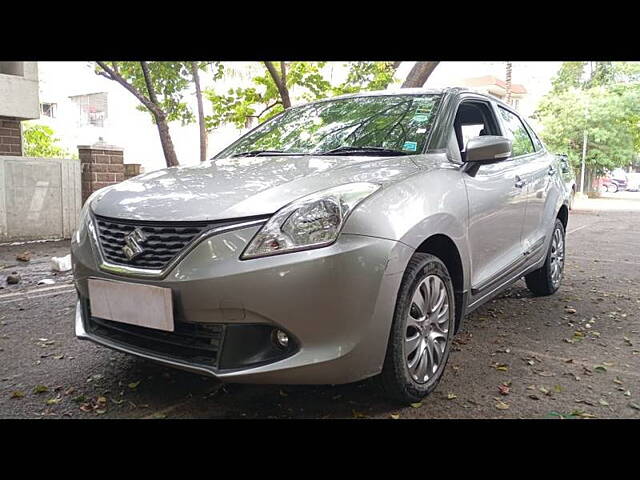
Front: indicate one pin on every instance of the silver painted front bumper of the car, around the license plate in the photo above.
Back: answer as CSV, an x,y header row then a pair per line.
x,y
336,303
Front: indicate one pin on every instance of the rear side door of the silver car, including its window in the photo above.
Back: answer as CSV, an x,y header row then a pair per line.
x,y
536,170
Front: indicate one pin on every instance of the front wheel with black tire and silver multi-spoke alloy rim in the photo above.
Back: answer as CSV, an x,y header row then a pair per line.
x,y
430,338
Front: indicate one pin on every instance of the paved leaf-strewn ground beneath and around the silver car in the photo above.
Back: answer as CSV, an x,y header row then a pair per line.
x,y
575,354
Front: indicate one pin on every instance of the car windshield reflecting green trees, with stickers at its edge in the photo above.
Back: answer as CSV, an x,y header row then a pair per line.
x,y
367,125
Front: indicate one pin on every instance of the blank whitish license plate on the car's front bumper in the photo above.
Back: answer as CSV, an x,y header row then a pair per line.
x,y
132,303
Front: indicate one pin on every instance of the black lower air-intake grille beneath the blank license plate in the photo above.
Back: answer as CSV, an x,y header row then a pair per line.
x,y
192,343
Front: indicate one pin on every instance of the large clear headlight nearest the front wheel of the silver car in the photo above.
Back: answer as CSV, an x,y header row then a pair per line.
x,y
311,222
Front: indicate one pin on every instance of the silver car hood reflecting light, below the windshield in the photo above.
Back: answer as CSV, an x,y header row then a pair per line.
x,y
240,187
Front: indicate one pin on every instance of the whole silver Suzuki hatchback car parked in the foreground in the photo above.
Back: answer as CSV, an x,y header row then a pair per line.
x,y
339,240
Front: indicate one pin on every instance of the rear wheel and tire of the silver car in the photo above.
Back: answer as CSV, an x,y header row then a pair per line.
x,y
546,280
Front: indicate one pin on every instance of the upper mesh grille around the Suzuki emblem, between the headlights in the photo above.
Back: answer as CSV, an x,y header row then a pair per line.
x,y
164,241
